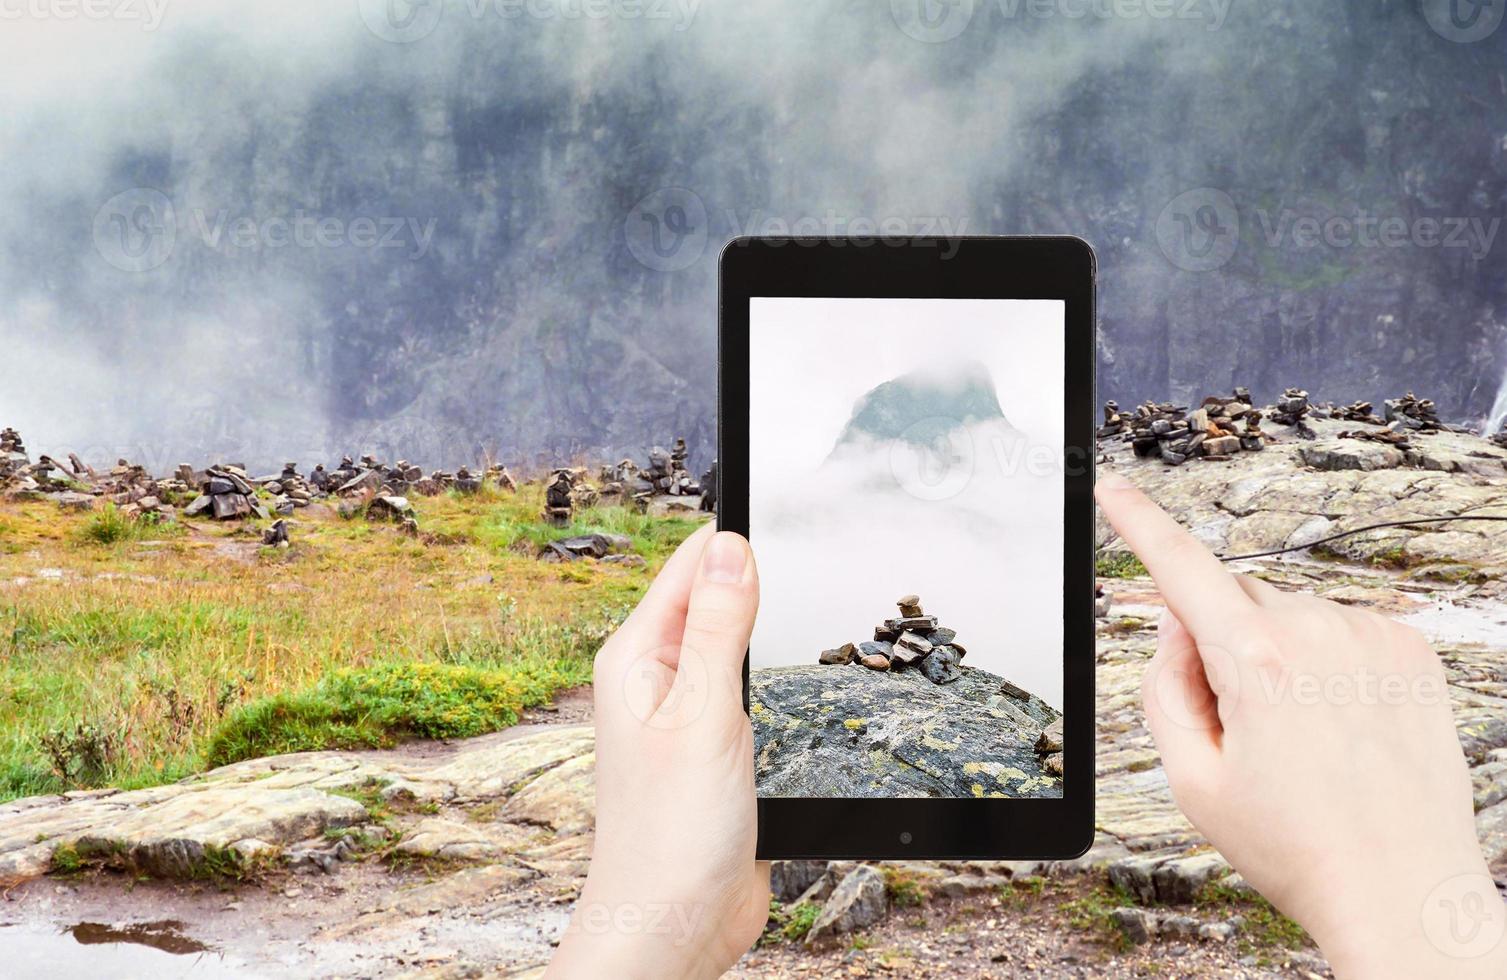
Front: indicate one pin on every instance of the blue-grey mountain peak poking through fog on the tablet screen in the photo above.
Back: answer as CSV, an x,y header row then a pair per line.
x,y
922,405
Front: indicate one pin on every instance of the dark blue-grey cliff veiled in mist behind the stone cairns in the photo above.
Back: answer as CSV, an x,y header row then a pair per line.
x,y
441,243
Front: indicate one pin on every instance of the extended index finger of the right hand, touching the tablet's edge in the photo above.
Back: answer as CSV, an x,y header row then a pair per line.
x,y
1197,589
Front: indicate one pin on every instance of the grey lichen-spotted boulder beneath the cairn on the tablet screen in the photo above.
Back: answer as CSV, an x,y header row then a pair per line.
x,y
860,733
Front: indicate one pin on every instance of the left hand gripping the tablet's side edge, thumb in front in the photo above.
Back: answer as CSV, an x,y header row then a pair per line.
x,y
674,890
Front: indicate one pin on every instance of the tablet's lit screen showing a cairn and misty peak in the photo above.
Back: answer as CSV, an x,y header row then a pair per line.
x,y
906,492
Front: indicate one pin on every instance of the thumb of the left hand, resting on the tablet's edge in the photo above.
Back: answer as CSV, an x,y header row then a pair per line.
x,y
720,619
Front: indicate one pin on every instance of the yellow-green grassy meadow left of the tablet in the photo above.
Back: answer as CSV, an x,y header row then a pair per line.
x,y
136,654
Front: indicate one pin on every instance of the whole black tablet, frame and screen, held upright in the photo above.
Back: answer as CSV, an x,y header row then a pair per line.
x,y
906,438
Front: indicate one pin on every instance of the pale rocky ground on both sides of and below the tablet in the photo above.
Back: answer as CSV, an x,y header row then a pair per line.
x,y
463,860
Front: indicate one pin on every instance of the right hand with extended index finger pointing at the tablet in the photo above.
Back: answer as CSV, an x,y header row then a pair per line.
x,y
1313,746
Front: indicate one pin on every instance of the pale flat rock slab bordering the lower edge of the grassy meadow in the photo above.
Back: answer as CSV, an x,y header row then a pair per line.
x,y
543,782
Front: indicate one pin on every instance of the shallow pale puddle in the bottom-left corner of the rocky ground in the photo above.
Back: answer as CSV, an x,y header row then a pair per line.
x,y
124,951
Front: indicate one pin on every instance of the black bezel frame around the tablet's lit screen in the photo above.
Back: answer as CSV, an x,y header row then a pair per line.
x,y
1013,269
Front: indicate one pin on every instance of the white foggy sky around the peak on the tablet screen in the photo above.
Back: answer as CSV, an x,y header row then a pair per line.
x,y
834,556
